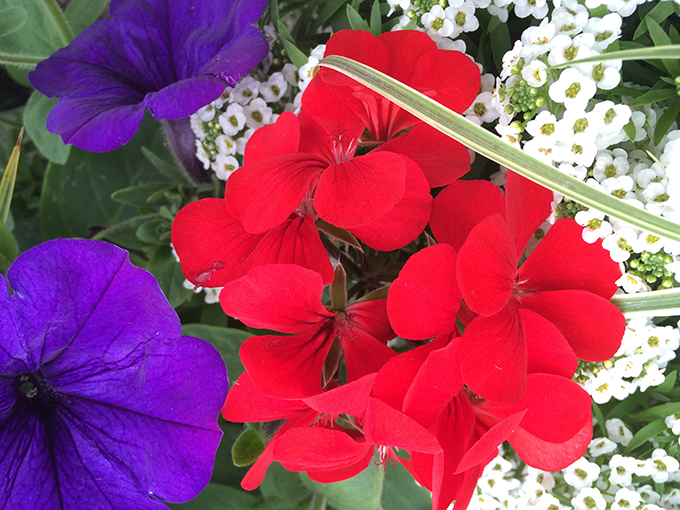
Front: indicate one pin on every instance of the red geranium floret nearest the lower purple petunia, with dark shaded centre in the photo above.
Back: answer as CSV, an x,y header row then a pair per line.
x,y
287,298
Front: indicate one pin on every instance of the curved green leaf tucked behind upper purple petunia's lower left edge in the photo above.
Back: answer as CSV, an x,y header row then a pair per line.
x,y
35,118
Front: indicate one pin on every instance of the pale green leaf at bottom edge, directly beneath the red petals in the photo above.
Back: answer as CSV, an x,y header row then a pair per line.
x,y
362,492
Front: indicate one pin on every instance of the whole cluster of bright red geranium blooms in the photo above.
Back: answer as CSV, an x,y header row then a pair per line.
x,y
354,166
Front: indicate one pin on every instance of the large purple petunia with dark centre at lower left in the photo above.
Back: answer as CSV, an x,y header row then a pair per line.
x,y
103,404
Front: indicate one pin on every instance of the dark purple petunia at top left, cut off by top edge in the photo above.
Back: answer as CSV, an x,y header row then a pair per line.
x,y
171,56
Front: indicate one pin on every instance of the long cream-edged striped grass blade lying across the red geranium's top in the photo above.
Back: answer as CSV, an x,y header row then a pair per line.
x,y
492,147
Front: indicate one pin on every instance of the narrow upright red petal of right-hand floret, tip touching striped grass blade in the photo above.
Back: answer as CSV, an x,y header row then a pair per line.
x,y
527,206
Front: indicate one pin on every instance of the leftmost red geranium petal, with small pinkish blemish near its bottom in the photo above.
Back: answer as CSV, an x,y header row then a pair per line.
x,y
210,243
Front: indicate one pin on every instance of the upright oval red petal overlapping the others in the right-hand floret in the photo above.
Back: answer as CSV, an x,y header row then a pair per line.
x,y
486,266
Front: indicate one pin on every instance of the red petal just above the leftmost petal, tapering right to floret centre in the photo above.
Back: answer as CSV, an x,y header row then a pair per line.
x,y
261,195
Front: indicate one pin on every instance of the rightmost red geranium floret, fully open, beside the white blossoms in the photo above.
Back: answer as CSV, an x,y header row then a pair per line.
x,y
565,280
